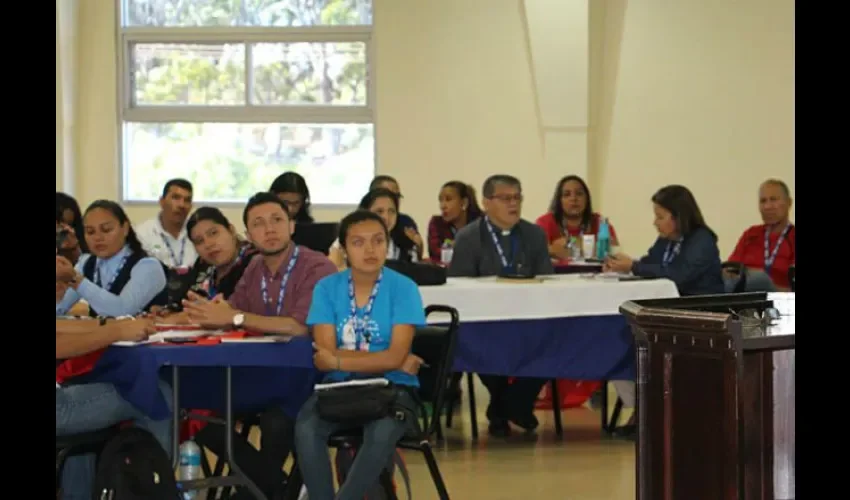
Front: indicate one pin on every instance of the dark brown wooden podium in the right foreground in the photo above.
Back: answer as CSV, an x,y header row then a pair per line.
x,y
706,405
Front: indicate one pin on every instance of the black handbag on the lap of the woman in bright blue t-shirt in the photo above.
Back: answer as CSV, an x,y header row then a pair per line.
x,y
358,404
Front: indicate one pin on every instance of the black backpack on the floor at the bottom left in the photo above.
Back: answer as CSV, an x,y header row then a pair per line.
x,y
134,466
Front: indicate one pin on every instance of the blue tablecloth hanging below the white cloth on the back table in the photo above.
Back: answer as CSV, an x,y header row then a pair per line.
x,y
579,348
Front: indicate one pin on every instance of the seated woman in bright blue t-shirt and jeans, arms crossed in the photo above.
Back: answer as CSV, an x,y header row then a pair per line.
x,y
363,320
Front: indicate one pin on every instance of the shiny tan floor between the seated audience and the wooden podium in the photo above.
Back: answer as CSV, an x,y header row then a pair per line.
x,y
585,465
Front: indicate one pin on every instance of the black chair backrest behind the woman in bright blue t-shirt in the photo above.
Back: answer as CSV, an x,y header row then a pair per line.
x,y
443,369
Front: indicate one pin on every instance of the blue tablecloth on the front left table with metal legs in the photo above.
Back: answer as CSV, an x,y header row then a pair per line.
x,y
264,374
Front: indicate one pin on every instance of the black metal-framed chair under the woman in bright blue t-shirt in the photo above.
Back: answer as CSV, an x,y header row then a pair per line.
x,y
420,441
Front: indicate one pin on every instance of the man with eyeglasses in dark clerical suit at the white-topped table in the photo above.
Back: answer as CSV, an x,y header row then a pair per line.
x,y
503,244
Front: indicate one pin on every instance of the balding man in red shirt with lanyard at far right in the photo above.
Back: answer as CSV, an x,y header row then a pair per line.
x,y
770,246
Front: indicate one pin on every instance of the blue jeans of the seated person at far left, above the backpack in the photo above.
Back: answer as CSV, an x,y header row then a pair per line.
x,y
91,407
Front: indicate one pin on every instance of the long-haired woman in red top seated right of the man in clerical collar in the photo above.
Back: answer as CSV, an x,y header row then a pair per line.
x,y
570,214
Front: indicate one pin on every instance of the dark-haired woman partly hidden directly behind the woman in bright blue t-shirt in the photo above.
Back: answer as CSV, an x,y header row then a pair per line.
x,y
383,202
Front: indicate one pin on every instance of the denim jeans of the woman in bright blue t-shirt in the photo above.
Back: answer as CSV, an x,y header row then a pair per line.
x,y
379,443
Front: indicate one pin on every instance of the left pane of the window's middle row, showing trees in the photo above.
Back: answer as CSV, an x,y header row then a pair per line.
x,y
188,74
